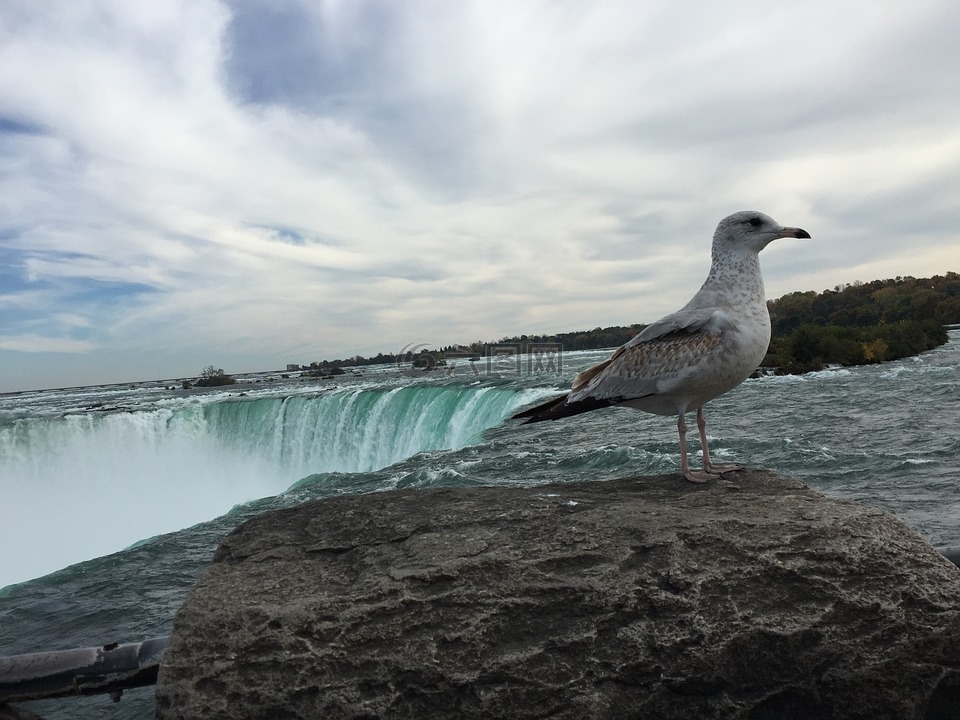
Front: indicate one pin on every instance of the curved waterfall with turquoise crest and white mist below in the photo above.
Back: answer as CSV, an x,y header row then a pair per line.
x,y
90,481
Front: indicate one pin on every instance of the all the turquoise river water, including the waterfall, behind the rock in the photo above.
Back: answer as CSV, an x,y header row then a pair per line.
x,y
120,505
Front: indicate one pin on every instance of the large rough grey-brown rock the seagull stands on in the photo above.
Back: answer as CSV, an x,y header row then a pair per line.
x,y
753,597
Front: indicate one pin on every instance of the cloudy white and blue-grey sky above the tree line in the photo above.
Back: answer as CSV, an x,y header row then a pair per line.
x,y
249,183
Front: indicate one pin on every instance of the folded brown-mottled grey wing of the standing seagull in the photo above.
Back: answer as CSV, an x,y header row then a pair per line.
x,y
662,351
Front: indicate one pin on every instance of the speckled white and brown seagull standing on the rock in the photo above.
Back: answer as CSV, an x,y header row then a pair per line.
x,y
684,360
